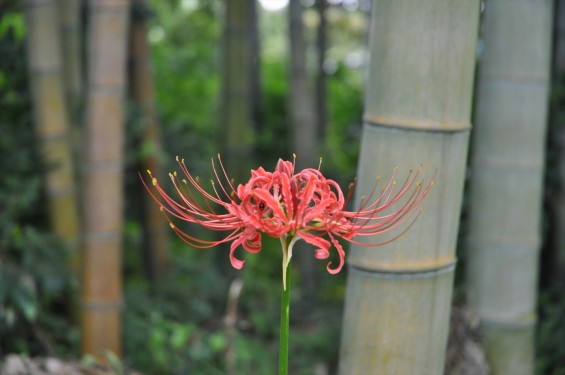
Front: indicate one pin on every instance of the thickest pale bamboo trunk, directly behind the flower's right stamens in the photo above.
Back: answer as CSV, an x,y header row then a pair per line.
x,y
417,111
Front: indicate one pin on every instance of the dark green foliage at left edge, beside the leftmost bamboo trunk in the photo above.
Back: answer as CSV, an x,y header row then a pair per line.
x,y
33,269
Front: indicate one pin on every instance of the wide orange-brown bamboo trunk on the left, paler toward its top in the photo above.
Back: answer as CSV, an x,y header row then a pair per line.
x,y
103,201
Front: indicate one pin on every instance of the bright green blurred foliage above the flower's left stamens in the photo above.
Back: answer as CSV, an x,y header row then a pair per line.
x,y
187,74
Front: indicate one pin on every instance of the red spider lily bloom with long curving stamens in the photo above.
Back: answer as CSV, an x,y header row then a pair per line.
x,y
286,205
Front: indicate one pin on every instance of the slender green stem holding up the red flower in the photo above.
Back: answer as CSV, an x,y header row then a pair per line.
x,y
285,307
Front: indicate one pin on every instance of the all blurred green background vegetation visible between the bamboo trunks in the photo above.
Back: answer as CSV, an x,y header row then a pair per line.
x,y
176,323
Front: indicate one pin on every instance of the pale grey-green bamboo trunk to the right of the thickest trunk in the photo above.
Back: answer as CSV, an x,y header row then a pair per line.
x,y
507,172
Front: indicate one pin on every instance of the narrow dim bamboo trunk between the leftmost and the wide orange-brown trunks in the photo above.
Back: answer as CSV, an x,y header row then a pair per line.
x,y
71,36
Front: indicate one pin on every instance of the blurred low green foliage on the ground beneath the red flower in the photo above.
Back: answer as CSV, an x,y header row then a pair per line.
x,y
177,325
